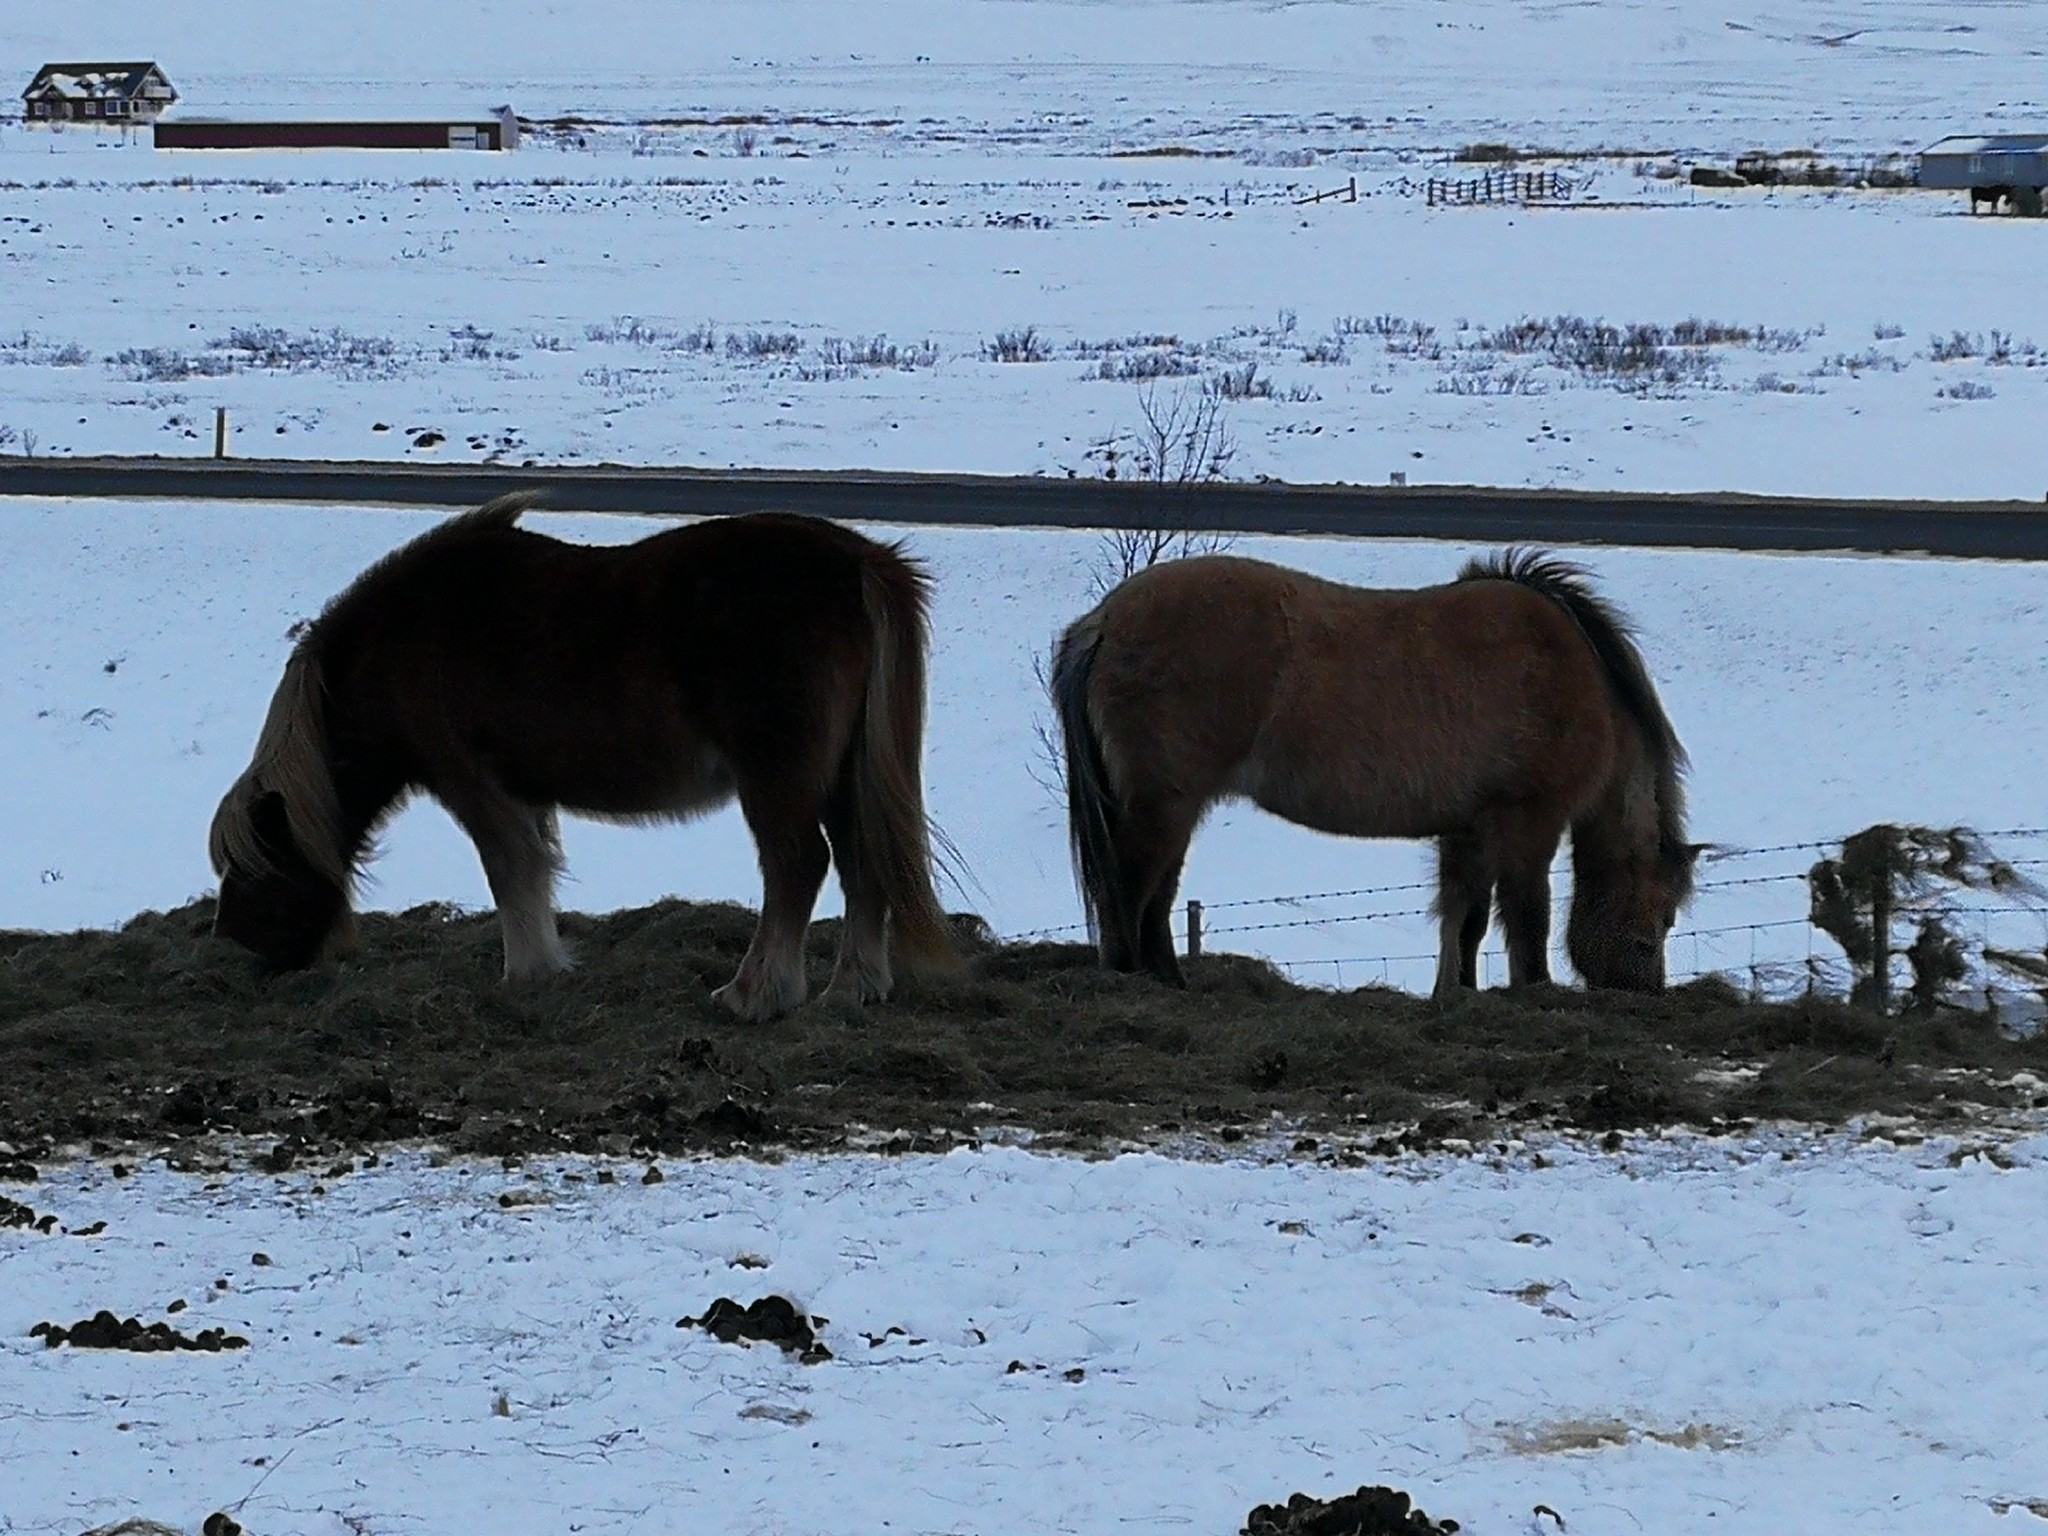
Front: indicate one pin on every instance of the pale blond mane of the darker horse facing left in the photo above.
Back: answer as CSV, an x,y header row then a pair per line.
x,y
292,751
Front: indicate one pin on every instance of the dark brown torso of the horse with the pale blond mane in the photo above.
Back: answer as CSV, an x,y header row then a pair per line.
x,y
611,679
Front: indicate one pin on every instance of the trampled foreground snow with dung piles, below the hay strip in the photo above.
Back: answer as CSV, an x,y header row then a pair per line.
x,y
1789,1336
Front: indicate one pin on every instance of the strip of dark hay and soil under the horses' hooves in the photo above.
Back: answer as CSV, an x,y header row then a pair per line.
x,y
159,1033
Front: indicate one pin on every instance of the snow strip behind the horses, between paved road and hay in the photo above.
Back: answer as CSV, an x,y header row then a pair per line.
x,y
1816,695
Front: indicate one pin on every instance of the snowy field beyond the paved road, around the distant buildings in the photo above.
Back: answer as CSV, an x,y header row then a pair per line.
x,y
804,241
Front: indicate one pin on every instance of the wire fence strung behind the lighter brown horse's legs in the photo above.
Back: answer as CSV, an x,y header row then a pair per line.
x,y
1750,923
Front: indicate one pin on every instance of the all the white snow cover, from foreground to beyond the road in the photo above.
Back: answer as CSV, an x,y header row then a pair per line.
x,y
1791,1334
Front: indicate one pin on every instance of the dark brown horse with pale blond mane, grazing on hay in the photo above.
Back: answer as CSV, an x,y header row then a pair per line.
x,y
509,675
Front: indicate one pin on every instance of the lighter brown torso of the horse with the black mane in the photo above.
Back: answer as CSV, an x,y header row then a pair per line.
x,y
1349,710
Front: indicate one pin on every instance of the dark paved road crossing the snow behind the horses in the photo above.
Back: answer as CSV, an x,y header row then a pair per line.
x,y
1465,513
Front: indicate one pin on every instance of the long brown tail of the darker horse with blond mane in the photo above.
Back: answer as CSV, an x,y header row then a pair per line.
x,y
888,763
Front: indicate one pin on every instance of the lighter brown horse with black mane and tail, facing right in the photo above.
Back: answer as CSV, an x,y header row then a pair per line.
x,y
1490,714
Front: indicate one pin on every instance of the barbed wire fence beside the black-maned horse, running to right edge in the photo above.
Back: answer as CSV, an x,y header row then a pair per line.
x,y
1770,957
